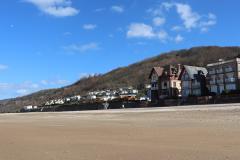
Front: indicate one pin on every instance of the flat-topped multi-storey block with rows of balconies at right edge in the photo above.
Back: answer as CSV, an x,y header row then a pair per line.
x,y
224,75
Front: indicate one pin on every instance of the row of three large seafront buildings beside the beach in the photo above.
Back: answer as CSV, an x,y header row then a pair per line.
x,y
217,78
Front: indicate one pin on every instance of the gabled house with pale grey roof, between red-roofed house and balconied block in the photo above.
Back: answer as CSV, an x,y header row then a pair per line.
x,y
193,81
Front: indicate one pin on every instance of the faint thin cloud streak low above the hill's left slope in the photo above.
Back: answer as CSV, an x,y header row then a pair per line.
x,y
82,48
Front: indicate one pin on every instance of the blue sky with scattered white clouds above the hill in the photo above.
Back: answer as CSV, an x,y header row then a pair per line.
x,y
53,43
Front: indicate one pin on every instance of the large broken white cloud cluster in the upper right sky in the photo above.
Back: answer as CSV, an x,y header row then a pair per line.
x,y
190,20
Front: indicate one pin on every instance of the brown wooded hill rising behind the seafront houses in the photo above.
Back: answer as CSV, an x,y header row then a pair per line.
x,y
135,75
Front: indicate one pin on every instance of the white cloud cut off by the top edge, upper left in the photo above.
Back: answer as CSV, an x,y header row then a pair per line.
x,y
57,8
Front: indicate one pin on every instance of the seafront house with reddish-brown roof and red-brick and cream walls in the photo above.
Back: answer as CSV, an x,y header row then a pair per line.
x,y
165,82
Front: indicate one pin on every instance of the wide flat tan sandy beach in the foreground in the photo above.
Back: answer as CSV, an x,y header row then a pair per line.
x,y
177,133
